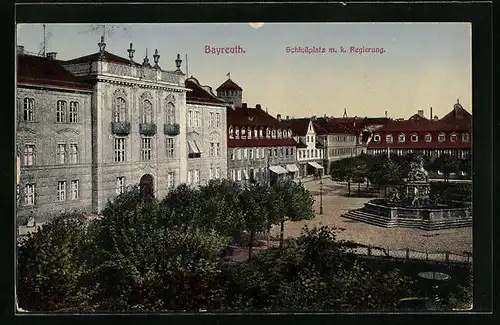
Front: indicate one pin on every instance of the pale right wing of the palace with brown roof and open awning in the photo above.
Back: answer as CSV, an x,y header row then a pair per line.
x,y
206,134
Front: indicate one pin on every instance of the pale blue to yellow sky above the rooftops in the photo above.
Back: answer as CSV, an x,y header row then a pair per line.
x,y
423,64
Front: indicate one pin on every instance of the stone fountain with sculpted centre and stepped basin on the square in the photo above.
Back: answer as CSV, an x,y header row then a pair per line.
x,y
410,206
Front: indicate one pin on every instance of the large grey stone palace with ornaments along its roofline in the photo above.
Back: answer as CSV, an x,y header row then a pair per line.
x,y
90,126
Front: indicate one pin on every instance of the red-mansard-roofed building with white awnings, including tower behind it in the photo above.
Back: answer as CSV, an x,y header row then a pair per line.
x,y
260,147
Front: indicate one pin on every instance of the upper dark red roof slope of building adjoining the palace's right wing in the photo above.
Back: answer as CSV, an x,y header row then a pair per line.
x,y
250,116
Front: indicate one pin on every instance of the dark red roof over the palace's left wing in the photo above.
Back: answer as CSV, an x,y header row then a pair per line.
x,y
42,71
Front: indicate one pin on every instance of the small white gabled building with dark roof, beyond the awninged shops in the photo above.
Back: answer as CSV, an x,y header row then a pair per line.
x,y
310,151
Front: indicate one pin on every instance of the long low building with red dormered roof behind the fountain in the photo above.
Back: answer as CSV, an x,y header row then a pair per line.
x,y
452,134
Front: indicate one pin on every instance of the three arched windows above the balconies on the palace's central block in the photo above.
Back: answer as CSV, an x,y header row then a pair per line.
x,y
120,111
